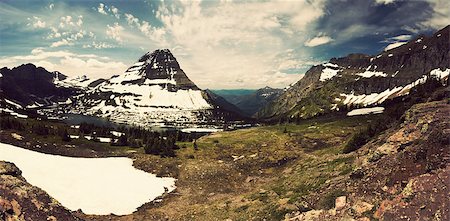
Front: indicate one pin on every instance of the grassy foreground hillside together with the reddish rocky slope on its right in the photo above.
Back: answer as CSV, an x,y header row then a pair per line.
x,y
298,171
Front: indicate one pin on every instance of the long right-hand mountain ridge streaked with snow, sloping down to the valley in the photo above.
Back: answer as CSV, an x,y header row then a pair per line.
x,y
364,80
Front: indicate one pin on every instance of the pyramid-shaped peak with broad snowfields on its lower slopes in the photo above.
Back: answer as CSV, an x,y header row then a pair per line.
x,y
154,90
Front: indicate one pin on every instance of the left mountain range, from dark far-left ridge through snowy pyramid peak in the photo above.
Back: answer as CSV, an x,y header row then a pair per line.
x,y
153,91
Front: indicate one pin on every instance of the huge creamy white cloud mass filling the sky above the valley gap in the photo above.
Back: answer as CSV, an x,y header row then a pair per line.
x,y
240,47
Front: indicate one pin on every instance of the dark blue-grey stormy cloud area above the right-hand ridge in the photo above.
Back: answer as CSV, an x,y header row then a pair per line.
x,y
364,26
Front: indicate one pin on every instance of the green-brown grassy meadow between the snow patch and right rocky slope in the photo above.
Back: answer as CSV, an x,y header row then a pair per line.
x,y
250,174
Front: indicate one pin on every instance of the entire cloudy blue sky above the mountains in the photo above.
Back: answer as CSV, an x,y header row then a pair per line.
x,y
219,44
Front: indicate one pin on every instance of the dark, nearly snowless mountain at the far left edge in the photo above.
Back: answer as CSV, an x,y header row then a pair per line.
x,y
33,86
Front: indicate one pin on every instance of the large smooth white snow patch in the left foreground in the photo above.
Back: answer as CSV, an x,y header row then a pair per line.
x,y
95,185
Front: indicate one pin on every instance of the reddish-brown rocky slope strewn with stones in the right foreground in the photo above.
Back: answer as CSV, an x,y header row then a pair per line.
x,y
408,181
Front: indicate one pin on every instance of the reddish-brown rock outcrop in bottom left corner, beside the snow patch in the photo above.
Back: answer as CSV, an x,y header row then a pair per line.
x,y
21,201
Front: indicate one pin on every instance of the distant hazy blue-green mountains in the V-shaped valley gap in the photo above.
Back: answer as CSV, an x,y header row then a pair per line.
x,y
250,101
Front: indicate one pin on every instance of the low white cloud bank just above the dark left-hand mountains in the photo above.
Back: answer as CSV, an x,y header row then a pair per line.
x,y
68,63
